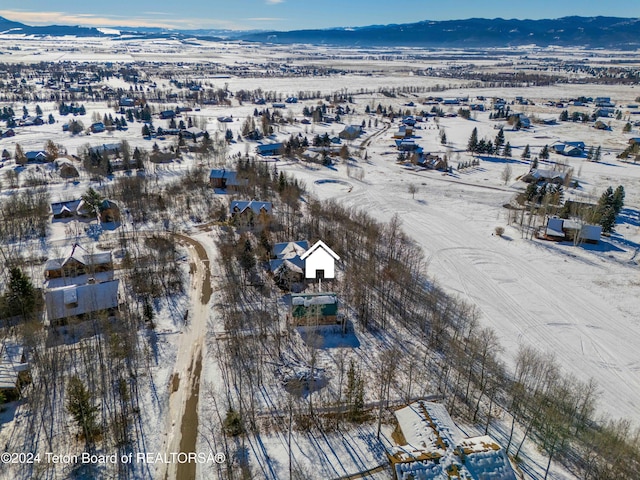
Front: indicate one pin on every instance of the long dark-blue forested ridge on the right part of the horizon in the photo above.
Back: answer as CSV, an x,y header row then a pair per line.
x,y
591,32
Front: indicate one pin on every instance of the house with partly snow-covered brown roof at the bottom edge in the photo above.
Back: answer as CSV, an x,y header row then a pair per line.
x,y
435,448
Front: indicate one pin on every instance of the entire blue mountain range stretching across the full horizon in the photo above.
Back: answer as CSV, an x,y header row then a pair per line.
x,y
589,32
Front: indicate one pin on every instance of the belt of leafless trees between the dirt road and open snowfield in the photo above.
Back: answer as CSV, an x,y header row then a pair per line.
x,y
385,289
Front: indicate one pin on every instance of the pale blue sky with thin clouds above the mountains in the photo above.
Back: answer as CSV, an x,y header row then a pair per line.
x,y
294,14
